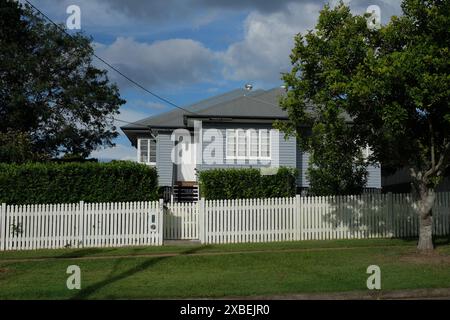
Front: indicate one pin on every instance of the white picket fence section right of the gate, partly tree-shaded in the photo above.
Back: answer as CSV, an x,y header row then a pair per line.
x,y
317,218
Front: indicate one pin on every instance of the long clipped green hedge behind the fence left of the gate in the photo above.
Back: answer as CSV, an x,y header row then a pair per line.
x,y
72,182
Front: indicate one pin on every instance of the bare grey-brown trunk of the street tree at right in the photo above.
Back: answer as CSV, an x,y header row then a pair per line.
x,y
425,202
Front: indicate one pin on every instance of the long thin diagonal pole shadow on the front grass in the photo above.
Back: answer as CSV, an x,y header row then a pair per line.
x,y
150,262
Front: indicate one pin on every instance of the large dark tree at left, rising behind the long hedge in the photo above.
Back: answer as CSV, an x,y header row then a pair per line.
x,y
49,89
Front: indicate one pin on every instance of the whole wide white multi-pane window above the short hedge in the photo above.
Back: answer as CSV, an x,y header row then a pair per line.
x,y
248,144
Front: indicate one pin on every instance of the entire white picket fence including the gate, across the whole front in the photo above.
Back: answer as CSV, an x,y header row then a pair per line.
x,y
223,221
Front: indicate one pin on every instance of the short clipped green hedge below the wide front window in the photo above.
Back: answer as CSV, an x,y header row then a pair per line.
x,y
246,183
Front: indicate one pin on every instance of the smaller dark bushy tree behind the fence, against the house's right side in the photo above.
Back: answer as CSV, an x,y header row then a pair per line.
x,y
337,165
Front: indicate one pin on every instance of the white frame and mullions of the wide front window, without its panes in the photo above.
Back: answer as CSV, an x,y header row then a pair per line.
x,y
247,144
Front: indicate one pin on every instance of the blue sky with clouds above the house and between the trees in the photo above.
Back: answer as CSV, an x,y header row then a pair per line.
x,y
190,50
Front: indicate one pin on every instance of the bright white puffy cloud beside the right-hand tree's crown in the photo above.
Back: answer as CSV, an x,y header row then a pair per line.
x,y
268,40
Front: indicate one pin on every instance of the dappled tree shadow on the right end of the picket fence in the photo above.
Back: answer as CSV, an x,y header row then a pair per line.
x,y
385,215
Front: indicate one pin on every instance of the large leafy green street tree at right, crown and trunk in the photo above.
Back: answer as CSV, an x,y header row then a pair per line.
x,y
394,84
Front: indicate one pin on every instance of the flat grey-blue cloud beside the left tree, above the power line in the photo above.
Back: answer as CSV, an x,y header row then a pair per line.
x,y
169,63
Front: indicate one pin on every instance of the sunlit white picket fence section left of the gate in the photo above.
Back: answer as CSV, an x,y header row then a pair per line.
x,y
79,225
